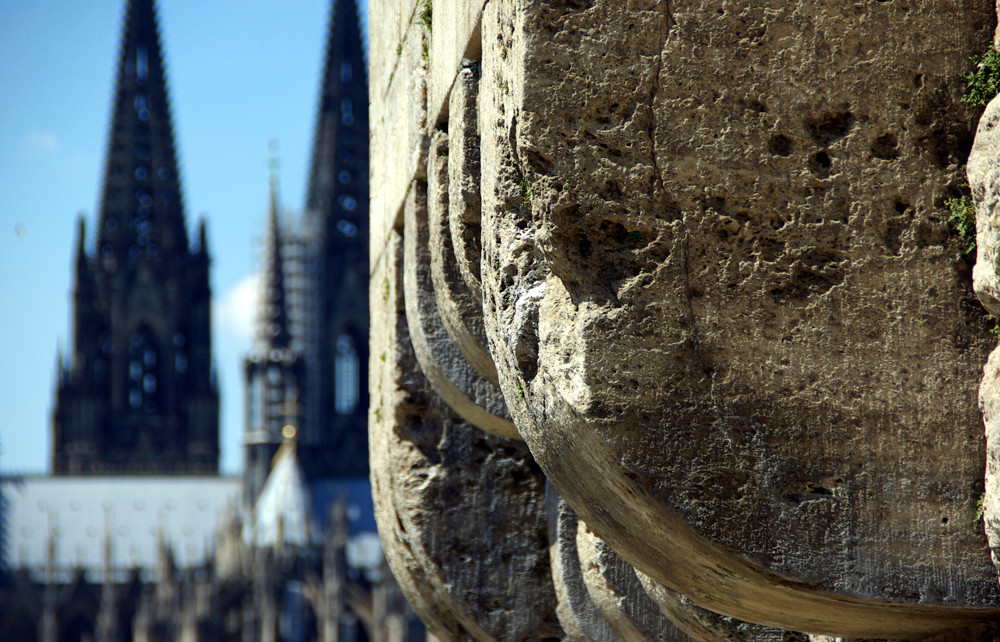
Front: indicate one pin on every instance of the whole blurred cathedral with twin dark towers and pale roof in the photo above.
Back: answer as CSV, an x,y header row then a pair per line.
x,y
136,536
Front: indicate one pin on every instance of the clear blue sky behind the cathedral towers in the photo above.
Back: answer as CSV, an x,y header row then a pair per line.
x,y
239,75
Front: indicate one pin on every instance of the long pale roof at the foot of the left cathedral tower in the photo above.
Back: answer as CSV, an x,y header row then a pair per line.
x,y
79,513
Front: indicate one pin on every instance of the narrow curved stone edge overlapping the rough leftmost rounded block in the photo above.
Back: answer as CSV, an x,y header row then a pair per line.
x,y
454,379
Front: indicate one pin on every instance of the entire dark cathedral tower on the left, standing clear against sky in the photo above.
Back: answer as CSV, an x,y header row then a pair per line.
x,y
138,393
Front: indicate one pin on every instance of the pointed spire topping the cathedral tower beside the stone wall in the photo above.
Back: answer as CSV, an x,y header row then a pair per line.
x,y
343,109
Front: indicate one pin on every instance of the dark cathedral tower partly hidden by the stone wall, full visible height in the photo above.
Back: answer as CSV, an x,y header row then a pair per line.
x,y
333,439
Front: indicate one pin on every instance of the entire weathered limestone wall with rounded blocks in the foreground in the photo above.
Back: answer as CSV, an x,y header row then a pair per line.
x,y
697,256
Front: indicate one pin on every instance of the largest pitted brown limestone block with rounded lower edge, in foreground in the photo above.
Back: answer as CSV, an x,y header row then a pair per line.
x,y
727,312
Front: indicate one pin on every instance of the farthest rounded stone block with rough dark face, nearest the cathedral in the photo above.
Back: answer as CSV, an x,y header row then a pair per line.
x,y
461,514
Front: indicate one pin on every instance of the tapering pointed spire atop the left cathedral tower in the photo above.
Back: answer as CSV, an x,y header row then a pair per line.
x,y
141,209
